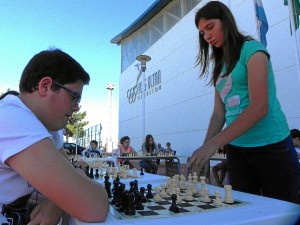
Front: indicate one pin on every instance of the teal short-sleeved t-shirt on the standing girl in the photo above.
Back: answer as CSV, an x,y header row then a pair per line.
x,y
233,90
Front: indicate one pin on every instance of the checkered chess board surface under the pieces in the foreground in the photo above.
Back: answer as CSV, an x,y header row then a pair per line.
x,y
160,209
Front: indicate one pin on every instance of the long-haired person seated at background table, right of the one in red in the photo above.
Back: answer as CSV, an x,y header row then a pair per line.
x,y
149,147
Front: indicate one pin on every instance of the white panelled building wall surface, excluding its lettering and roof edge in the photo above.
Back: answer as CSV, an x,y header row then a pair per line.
x,y
180,111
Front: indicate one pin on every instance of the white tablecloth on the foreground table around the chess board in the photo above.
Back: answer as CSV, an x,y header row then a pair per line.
x,y
259,211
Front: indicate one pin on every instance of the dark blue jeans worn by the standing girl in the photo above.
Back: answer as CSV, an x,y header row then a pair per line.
x,y
271,170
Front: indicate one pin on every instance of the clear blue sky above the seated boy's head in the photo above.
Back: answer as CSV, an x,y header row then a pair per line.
x,y
81,28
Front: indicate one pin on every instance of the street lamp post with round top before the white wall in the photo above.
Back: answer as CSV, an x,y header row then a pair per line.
x,y
143,59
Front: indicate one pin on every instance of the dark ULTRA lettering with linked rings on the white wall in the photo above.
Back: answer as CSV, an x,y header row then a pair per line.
x,y
152,86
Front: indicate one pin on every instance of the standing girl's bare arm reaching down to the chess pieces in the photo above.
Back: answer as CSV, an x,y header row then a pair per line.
x,y
257,68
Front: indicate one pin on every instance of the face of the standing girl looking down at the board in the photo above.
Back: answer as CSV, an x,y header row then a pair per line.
x,y
212,31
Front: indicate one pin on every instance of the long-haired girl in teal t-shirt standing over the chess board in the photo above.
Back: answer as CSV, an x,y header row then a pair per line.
x,y
247,115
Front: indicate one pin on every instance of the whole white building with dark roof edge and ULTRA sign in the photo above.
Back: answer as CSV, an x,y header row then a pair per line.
x,y
175,103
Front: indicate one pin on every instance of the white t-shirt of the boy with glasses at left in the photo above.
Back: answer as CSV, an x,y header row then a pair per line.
x,y
19,129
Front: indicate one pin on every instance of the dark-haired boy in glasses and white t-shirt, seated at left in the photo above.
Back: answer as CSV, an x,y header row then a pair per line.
x,y
50,91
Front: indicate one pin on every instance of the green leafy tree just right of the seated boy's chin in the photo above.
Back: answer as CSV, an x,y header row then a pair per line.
x,y
72,124
